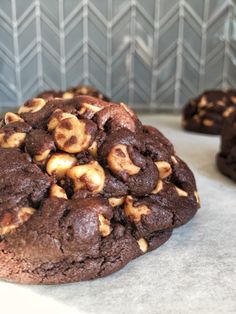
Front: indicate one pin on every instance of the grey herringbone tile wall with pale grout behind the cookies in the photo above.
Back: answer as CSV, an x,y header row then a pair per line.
x,y
153,54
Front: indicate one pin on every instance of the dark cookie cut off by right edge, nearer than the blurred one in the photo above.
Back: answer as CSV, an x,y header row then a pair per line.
x,y
226,158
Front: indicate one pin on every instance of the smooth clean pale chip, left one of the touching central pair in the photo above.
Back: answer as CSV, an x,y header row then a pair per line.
x,y
59,163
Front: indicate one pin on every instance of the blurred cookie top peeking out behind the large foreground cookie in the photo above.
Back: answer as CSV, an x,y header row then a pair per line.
x,y
72,92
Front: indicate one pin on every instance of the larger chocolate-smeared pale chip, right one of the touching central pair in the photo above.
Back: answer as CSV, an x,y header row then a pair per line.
x,y
90,176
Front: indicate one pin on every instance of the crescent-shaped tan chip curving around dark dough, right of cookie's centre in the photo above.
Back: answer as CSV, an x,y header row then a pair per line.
x,y
119,161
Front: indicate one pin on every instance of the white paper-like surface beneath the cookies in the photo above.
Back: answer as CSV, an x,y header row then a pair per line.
x,y
194,272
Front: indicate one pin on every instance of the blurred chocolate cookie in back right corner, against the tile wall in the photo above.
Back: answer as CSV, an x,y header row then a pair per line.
x,y
204,114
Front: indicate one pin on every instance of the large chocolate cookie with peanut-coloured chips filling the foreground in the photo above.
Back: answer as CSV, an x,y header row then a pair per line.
x,y
84,189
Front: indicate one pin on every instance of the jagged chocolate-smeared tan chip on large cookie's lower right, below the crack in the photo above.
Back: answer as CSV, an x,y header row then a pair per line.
x,y
135,212
